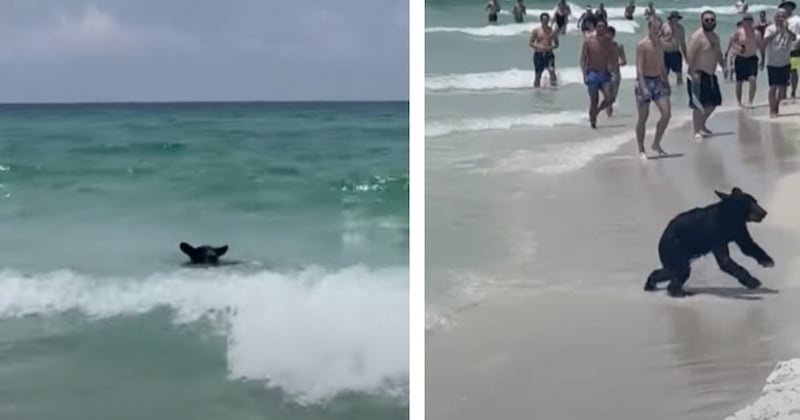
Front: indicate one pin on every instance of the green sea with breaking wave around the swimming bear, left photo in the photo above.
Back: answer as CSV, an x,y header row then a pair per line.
x,y
99,318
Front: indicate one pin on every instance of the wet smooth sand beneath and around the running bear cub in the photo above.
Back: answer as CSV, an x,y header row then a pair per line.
x,y
571,335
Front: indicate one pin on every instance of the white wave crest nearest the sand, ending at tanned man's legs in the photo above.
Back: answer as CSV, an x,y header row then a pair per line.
x,y
436,129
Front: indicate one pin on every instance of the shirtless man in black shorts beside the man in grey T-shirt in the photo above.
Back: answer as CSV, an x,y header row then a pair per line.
x,y
746,45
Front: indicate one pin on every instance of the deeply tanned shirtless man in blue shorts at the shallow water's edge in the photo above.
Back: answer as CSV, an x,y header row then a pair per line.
x,y
597,57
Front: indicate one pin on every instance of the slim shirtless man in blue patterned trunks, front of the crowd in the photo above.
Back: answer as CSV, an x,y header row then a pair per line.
x,y
652,85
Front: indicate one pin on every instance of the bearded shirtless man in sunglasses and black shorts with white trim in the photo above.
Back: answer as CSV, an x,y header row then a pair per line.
x,y
703,54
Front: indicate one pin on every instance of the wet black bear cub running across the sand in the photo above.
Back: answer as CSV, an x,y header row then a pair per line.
x,y
699,231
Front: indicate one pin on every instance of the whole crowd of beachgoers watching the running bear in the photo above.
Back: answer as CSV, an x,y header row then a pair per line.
x,y
771,45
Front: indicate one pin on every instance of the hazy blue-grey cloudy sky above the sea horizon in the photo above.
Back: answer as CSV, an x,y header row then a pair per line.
x,y
162,50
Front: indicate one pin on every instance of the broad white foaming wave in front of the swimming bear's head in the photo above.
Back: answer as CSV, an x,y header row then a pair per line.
x,y
313,334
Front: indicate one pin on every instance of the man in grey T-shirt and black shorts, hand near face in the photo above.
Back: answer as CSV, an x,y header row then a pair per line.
x,y
778,40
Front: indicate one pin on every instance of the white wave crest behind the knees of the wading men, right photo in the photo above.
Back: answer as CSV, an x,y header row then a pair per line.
x,y
508,79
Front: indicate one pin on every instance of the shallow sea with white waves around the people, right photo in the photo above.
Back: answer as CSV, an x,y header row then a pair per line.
x,y
485,125
